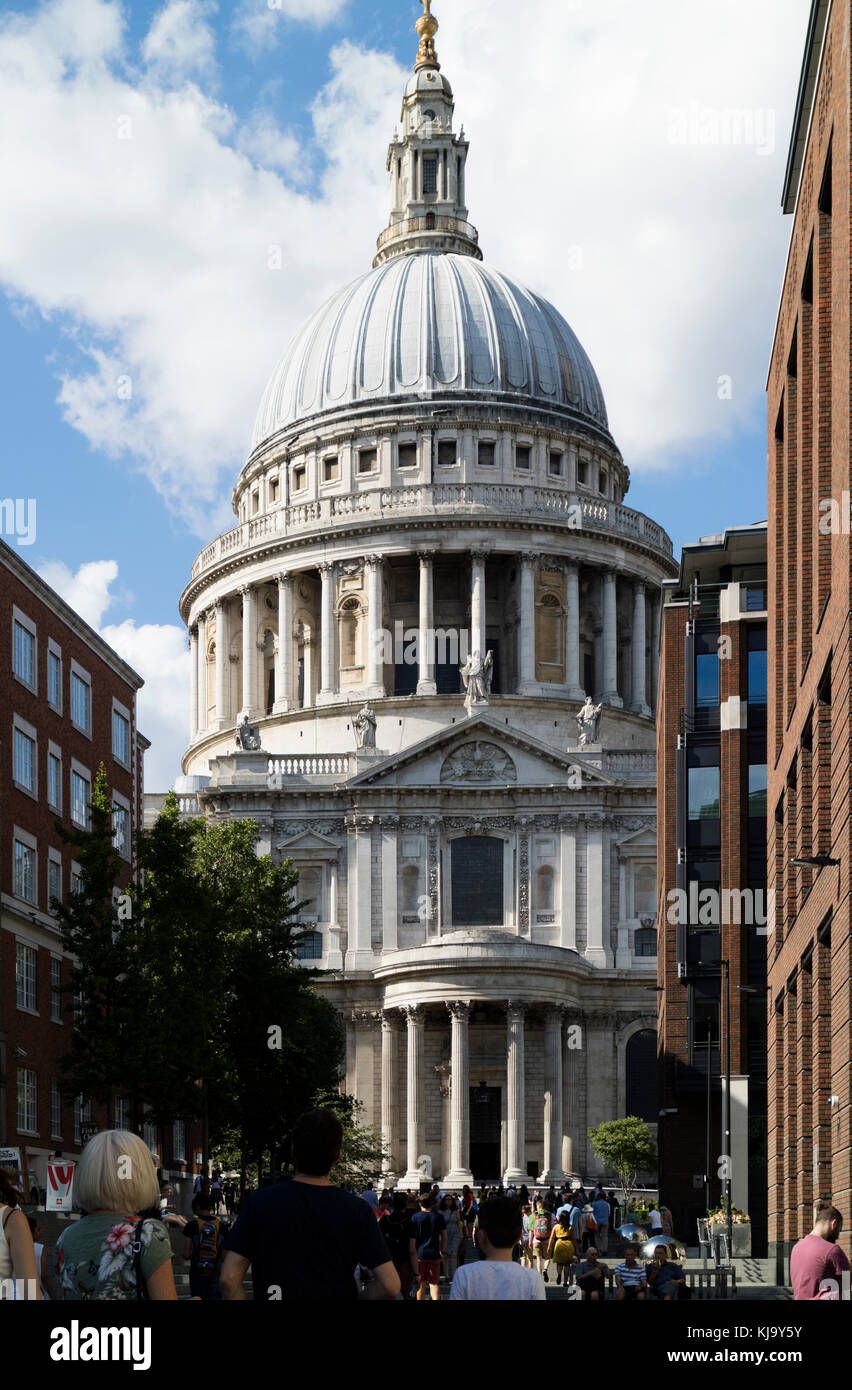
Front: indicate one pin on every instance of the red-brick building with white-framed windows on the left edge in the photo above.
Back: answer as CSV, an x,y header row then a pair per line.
x,y
67,704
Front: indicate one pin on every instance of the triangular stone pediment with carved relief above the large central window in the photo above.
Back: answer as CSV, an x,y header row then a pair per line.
x,y
482,753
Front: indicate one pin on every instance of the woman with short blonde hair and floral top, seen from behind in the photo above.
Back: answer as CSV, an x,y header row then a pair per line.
x,y
113,1253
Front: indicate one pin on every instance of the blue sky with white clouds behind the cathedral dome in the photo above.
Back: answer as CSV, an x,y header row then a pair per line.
x,y
597,126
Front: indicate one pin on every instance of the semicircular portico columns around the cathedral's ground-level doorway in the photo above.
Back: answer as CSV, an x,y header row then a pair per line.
x,y
486,1113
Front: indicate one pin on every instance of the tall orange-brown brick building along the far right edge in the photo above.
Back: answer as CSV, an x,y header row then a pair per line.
x,y
810,657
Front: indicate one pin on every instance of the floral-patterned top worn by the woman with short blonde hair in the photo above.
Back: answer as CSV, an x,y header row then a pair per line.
x,y
94,1257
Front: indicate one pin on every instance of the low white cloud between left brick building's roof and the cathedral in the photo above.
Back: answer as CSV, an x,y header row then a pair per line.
x,y
156,651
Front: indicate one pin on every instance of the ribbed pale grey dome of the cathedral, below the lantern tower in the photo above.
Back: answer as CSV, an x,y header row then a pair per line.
x,y
430,326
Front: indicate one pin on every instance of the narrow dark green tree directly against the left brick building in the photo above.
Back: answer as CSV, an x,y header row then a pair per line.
x,y
108,1047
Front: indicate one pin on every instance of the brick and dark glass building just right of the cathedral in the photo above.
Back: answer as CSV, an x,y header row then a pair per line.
x,y
712,854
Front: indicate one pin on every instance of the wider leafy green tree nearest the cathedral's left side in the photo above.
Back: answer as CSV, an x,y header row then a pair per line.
x,y
248,1039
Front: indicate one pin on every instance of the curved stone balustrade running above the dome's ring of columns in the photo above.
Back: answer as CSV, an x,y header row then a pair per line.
x,y
579,512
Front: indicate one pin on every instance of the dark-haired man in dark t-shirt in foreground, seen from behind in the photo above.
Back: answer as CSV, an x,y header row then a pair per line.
x,y
306,1239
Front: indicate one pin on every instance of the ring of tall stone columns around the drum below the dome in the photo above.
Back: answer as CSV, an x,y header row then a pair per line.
x,y
564,626
